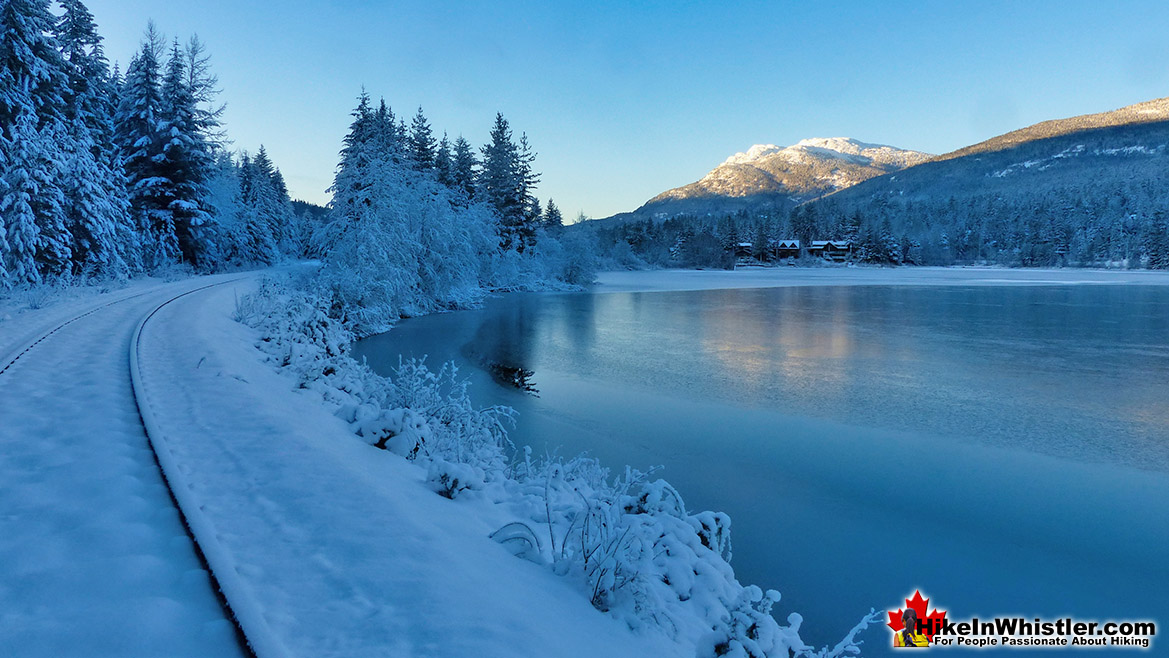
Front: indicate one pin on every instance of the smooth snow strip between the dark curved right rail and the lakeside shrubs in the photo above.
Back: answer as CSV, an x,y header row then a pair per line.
x,y
347,550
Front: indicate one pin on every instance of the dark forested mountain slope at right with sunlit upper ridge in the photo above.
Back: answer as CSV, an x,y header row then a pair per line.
x,y
1084,191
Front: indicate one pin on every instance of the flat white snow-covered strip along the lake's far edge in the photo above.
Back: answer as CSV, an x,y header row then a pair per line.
x,y
649,281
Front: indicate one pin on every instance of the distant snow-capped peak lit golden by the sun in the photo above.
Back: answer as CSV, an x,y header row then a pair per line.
x,y
776,177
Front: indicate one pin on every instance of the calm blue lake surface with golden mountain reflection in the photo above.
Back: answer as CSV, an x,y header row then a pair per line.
x,y
1005,449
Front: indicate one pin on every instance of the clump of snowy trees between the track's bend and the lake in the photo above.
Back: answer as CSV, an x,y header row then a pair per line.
x,y
419,224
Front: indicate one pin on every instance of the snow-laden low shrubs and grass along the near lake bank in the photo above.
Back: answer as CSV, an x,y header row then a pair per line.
x,y
627,541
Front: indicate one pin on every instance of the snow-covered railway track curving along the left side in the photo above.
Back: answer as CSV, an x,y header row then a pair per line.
x,y
99,550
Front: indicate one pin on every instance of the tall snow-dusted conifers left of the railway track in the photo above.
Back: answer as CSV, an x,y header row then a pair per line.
x,y
105,175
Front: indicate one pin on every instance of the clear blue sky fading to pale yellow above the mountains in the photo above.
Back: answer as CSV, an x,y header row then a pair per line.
x,y
625,100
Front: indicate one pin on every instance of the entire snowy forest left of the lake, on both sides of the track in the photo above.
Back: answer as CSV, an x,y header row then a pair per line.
x,y
108,175
